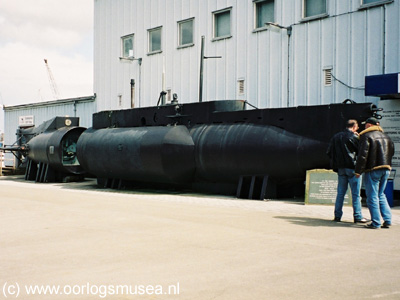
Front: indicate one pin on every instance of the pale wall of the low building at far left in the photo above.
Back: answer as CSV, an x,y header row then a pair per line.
x,y
83,108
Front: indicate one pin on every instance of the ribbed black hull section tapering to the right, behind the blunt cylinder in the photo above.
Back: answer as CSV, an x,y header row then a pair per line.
x,y
227,152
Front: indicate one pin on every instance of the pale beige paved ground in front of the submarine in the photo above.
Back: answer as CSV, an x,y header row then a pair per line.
x,y
96,243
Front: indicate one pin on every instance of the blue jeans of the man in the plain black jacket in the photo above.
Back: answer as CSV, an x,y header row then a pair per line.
x,y
346,177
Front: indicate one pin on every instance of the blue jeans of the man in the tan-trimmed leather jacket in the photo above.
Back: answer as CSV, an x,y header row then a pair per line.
x,y
375,184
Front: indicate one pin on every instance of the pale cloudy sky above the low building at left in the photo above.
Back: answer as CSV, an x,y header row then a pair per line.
x,y
56,30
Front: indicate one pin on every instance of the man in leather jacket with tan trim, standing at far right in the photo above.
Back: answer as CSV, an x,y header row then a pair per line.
x,y
374,160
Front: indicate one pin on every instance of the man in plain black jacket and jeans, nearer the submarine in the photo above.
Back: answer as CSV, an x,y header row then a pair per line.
x,y
343,149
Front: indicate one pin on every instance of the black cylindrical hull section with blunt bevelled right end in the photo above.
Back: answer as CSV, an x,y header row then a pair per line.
x,y
142,154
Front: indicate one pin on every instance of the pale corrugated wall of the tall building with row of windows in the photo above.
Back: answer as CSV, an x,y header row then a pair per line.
x,y
278,70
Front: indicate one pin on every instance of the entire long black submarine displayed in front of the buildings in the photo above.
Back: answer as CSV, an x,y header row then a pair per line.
x,y
223,146
